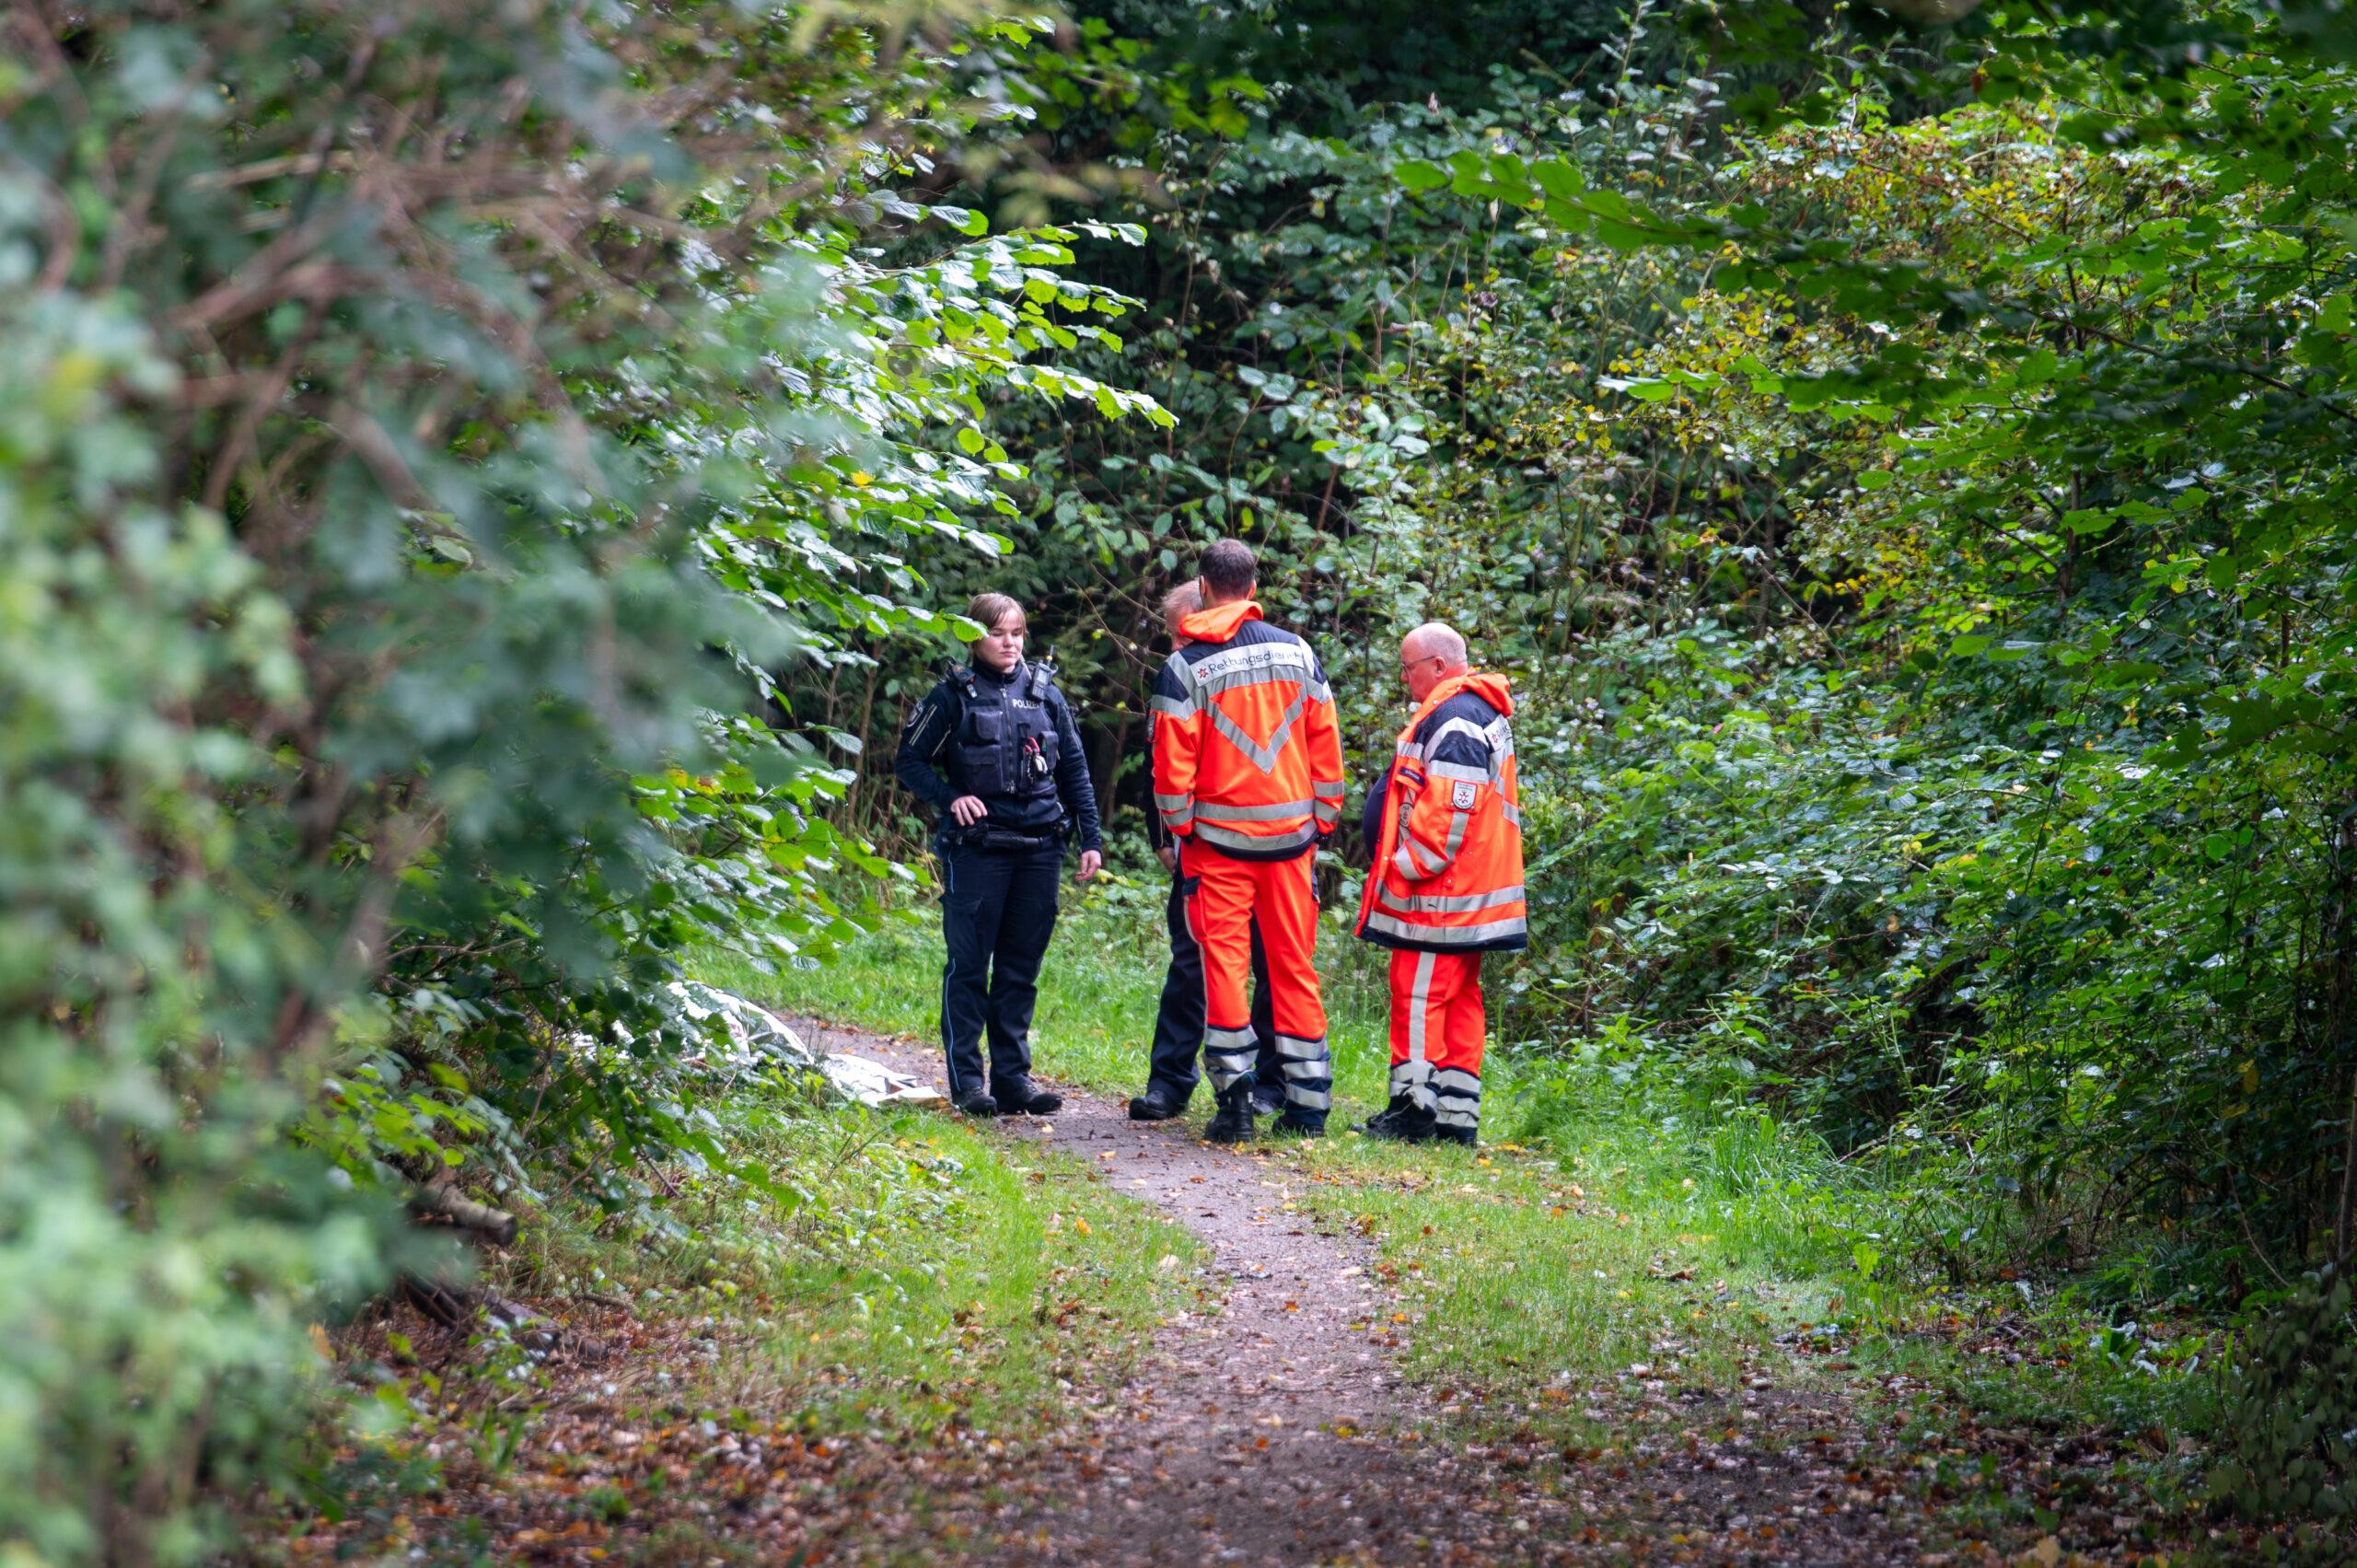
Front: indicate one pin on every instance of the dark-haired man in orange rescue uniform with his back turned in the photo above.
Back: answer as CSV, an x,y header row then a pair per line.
x,y
1248,782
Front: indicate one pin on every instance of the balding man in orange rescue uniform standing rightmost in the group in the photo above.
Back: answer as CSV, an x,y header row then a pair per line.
x,y
1446,883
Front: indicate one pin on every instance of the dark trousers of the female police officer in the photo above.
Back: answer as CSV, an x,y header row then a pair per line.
x,y
998,911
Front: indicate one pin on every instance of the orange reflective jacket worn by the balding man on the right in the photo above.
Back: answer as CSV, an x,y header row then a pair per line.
x,y
1448,864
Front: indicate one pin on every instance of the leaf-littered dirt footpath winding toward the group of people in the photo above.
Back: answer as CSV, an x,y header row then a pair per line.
x,y
1279,1430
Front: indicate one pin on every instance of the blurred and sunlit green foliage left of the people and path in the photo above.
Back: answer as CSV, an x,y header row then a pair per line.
x,y
425,430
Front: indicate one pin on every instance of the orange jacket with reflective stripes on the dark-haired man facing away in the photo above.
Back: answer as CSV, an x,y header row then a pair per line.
x,y
1248,756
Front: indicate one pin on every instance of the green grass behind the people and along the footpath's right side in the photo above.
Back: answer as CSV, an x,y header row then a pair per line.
x,y
1547,1265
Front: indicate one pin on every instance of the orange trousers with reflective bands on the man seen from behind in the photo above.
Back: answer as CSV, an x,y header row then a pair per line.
x,y
1227,900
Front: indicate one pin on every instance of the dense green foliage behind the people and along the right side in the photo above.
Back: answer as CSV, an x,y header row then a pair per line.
x,y
1908,475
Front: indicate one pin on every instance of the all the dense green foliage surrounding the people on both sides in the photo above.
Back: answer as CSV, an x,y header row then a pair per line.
x,y
477,492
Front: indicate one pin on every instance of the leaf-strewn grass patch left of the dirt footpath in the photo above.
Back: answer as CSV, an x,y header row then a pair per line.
x,y
918,1272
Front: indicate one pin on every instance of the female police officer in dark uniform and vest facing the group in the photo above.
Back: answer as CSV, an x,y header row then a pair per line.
x,y
996,753
